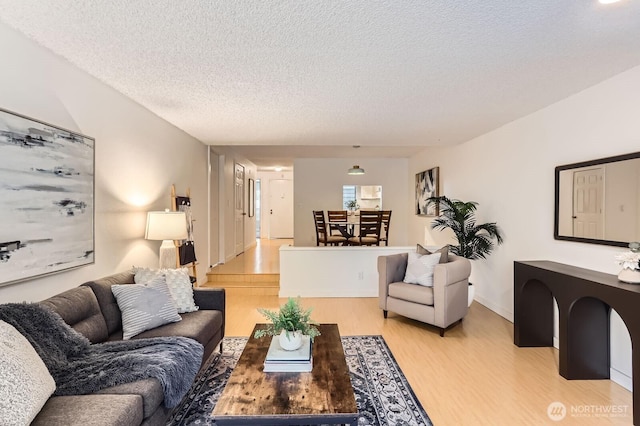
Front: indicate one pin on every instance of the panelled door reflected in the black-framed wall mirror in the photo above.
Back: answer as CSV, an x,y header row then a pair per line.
x,y
588,203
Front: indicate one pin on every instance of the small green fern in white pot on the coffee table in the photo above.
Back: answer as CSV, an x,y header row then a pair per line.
x,y
290,323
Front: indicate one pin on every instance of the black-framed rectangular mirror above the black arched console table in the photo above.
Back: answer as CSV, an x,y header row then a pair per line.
x,y
598,201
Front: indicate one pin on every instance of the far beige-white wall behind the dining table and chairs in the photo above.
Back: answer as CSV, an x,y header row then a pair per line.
x,y
318,186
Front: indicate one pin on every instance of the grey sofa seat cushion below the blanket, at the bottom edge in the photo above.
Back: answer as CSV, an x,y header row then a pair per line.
x,y
91,410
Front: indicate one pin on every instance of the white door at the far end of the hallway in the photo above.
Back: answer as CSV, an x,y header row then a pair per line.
x,y
281,208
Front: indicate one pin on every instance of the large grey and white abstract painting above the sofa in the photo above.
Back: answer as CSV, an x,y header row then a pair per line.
x,y
46,198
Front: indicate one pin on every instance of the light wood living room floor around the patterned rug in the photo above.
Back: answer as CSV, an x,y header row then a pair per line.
x,y
475,375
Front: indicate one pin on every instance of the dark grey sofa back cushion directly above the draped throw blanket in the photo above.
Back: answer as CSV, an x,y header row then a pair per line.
x,y
79,308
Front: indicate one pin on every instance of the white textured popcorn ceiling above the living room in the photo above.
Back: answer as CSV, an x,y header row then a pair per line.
x,y
383,73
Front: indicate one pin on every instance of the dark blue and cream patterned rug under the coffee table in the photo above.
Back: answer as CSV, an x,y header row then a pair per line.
x,y
382,392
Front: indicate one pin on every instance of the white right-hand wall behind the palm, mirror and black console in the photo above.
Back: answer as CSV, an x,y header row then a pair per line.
x,y
510,172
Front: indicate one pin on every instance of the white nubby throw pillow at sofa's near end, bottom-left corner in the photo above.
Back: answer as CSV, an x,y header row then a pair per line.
x,y
26,383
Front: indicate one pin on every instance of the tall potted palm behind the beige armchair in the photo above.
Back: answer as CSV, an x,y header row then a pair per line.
x,y
475,241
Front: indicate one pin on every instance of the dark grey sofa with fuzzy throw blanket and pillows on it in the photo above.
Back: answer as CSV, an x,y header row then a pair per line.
x,y
91,309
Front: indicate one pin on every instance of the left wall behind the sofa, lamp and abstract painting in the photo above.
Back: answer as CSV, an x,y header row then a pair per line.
x,y
138,157
